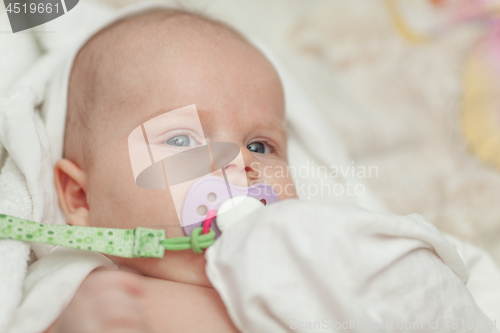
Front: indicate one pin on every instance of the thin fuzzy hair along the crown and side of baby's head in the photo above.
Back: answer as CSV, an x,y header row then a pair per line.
x,y
82,94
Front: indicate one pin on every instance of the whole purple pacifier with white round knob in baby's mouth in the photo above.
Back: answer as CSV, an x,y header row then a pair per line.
x,y
228,202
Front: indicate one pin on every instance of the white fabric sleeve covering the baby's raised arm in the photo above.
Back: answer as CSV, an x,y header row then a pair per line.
x,y
303,267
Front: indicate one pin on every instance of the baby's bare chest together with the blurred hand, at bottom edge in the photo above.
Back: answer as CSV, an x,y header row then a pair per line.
x,y
116,301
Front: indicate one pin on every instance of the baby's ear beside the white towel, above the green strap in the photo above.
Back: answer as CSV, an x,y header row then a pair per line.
x,y
71,186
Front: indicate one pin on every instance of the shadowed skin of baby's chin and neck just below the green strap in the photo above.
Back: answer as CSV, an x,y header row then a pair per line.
x,y
177,266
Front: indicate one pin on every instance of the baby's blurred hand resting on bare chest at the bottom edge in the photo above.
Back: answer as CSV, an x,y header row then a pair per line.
x,y
107,301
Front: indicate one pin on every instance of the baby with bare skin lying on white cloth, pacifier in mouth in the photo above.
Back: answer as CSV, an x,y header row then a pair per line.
x,y
129,72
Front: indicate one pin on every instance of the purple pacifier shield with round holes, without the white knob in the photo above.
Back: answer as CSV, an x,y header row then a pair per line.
x,y
210,192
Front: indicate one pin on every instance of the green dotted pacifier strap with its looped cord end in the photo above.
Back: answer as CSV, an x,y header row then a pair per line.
x,y
126,243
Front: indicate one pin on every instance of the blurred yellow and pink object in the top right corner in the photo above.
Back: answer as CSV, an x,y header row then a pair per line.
x,y
481,82
